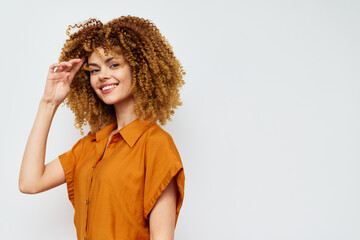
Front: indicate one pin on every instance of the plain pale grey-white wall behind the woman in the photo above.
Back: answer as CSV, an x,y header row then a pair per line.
x,y
269,128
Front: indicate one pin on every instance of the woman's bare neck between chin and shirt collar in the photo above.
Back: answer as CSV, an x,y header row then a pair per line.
x,y
125,112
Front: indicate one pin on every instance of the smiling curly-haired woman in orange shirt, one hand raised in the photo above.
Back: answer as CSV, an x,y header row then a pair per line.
x,y
125,178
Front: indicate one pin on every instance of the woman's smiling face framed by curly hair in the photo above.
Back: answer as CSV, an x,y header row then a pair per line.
x,y
111,78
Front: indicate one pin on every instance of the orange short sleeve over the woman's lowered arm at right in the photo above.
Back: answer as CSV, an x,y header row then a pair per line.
x,y
162,163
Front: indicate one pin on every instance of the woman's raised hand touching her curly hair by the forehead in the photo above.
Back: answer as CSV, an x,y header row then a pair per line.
x,y
58,80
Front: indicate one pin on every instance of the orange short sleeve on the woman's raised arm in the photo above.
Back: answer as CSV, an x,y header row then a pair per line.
x,y
68,161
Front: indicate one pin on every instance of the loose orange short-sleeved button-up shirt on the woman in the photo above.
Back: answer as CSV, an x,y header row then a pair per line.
x,y
113,194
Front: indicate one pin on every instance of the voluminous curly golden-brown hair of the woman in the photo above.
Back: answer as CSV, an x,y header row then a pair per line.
x,y
157,74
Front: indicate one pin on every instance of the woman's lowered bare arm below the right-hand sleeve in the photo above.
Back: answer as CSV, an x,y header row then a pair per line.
x,y
162,216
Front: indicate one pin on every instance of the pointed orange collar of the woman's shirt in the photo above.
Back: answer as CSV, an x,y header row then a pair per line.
x,y
131,132
